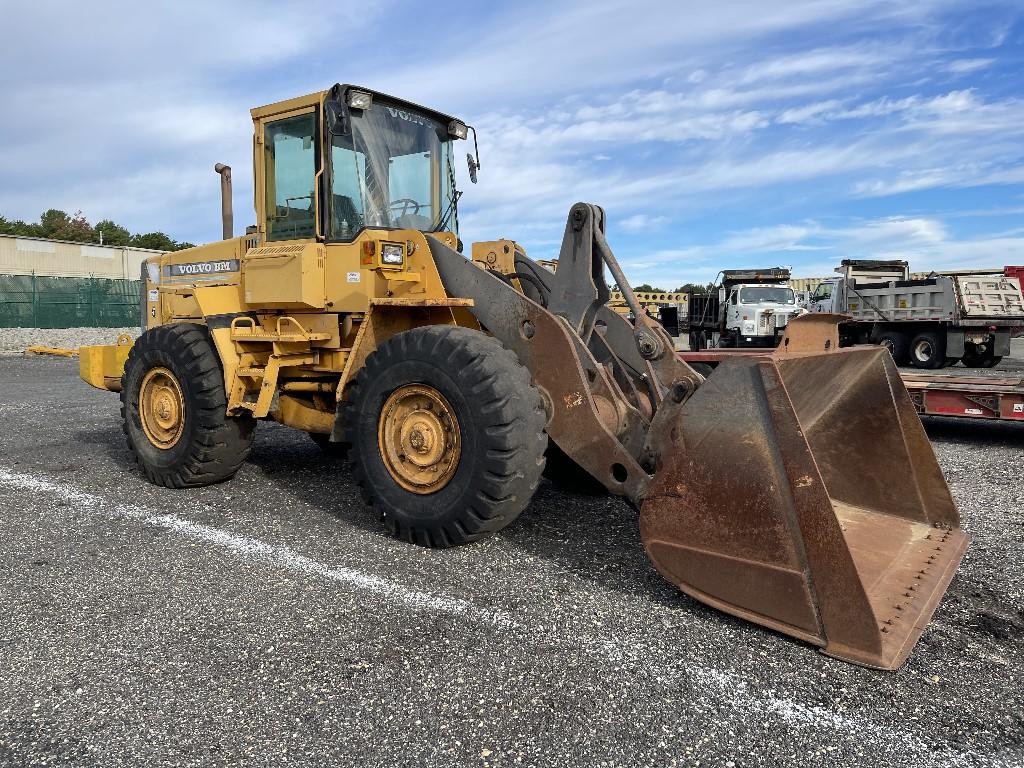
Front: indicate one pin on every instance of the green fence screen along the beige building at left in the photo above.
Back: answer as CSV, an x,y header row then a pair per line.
x,y
31,302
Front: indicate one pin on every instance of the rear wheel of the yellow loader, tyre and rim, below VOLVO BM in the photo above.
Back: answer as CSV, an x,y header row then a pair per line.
x,y
174,408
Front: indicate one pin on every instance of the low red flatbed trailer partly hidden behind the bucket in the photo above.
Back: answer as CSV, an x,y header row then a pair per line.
x,y
997,398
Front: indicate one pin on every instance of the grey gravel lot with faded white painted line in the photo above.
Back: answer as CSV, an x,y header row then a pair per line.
x,y
270,619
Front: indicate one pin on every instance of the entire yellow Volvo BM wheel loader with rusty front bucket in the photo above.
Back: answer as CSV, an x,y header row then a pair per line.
x,y
797,491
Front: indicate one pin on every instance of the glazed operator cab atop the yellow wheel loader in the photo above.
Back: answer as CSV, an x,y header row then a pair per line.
x,y
331,165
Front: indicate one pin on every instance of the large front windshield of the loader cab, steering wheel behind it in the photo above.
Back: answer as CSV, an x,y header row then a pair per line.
x,y
393,170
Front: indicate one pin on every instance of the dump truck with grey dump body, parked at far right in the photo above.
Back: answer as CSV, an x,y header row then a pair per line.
x,y
929,323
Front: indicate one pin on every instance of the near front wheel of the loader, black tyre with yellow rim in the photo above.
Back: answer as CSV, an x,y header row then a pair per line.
x,y
448,433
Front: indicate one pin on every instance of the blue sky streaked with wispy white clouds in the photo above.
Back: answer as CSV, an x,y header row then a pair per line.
x,y
716,136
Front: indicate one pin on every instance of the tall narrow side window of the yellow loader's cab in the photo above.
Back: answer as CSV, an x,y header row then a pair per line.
x,y
291,170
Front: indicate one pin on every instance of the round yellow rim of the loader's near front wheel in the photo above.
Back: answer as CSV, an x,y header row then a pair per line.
x,y
418,438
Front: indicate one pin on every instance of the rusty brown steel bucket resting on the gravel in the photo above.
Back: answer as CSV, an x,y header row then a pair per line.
x,y
800,492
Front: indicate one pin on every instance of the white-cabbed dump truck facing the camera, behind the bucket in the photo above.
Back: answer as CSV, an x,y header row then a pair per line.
x,y
751,309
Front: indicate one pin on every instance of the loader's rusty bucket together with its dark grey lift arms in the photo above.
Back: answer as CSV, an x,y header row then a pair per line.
x,y
798,491
